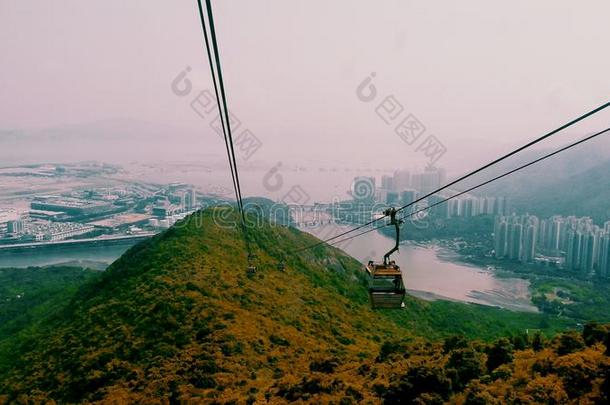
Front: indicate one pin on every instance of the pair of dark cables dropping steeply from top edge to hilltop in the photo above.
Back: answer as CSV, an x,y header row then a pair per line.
x,y
223,111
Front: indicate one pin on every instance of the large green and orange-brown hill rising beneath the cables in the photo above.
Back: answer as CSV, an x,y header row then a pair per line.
x,y
177,318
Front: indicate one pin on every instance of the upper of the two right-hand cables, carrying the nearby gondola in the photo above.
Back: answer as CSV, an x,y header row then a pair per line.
x,y
470,174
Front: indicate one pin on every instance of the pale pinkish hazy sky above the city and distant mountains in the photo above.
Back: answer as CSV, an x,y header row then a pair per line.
x,y
482,76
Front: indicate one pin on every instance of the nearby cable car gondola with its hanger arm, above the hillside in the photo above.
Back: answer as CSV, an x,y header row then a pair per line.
x,y
386,288
